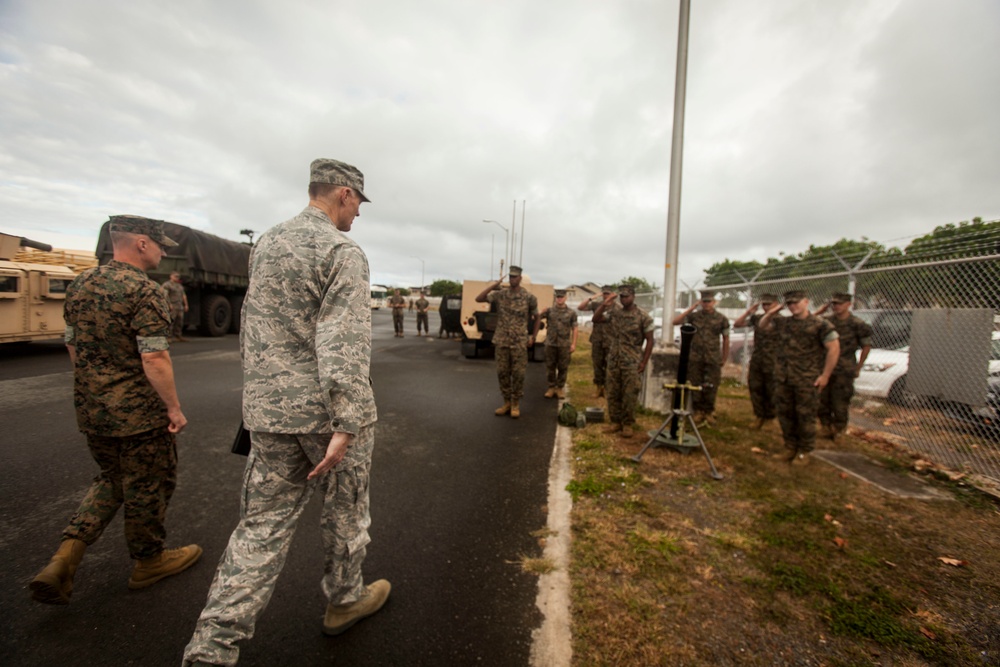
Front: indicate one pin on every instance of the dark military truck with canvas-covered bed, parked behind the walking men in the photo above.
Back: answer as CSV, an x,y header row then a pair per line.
x,y
214,272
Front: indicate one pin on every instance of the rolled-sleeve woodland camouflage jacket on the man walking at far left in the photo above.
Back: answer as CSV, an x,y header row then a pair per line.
x,y
115,313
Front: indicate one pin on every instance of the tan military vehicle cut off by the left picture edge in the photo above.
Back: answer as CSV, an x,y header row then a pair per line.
x,y
33,282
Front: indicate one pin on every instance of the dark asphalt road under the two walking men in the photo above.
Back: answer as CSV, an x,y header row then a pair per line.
x,y
456,494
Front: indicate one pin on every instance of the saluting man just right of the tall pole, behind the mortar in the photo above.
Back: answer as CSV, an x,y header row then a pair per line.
x,y
705,360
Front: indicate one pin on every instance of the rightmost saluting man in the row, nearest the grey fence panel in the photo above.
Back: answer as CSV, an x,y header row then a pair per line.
x,y
854,334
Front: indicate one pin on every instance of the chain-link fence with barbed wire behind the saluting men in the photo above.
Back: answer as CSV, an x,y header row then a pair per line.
x,y
932,378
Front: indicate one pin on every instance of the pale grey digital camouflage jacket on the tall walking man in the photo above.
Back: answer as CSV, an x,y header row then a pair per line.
x,y
305,335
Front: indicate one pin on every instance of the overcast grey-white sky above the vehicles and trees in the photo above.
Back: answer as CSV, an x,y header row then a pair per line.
x,y
807,121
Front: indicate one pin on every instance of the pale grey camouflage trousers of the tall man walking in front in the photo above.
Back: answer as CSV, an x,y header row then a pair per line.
x,y
275,492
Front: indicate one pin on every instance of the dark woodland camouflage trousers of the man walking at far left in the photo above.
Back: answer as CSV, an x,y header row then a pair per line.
x,y
139,473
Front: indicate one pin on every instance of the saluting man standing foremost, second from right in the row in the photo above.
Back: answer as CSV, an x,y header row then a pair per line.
x,y
807,354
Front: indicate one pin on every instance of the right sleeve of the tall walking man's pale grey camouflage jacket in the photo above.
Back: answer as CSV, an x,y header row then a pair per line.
x,y
343,341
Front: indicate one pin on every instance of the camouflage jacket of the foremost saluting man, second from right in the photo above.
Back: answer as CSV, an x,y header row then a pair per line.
x,y
801,348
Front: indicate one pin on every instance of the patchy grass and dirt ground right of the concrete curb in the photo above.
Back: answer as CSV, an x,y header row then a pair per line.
x,y
775,564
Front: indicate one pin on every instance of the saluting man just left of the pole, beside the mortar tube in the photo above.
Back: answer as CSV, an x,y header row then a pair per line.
x,y
629,327
